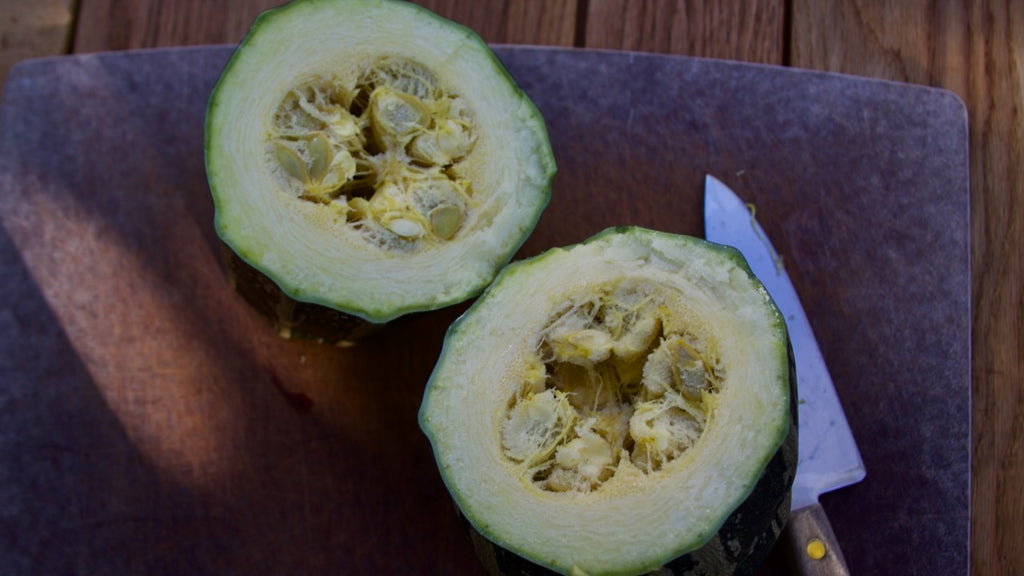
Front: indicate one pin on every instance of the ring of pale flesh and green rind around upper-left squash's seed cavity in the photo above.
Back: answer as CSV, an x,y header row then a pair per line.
x,y
356,283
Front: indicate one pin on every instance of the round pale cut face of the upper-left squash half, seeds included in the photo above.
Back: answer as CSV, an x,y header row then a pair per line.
x,y
373,158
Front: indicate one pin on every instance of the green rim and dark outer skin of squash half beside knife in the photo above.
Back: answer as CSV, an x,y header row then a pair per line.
x,y
745,538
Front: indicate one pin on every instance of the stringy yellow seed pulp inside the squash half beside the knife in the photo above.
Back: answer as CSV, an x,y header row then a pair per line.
x,y
609,385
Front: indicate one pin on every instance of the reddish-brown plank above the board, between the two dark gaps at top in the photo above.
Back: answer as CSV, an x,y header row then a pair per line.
x,y
743,30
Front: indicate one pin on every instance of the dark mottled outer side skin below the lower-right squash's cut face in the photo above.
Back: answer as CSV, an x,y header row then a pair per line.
x,y
739,549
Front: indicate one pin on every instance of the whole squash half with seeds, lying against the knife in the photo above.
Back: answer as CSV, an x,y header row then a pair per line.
x,y
617,407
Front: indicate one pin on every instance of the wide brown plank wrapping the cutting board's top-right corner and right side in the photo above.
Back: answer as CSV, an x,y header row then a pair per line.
x,y
977,51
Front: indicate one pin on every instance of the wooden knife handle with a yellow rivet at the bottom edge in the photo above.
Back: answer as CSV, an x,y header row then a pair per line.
x,y
812,545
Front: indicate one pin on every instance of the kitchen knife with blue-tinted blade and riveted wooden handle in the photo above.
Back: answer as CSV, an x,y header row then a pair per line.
x,y
829,459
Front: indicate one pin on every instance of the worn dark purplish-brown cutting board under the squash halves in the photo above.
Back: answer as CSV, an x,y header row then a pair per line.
x,y
153,424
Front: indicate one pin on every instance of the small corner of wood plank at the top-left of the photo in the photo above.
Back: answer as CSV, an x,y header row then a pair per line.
x,y
32,29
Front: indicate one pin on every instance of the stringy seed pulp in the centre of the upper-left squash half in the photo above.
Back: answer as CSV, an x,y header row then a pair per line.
x,y
383,154
